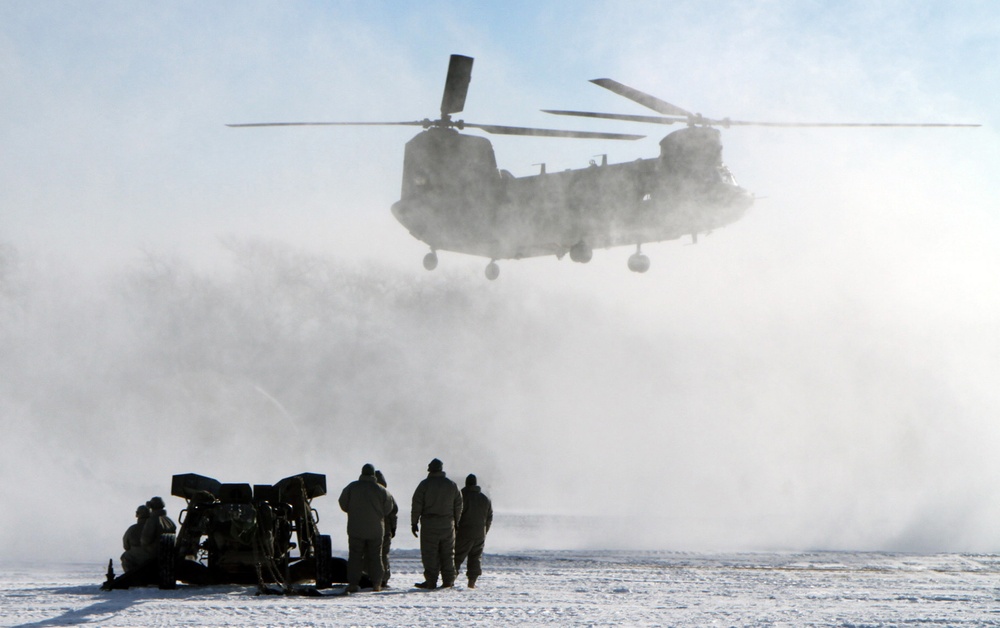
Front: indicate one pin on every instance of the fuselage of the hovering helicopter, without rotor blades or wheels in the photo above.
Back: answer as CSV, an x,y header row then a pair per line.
x,y
455,198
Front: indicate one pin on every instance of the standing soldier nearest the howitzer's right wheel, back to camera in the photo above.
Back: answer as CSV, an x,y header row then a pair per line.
x,y
367,505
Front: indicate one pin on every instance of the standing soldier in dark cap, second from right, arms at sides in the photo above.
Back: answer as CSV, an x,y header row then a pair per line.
x,y
437,507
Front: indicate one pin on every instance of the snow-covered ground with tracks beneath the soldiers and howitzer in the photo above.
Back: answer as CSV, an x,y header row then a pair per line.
x,y
559,588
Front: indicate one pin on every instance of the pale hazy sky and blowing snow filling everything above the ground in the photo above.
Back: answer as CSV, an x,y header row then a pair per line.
x,y
177,296
